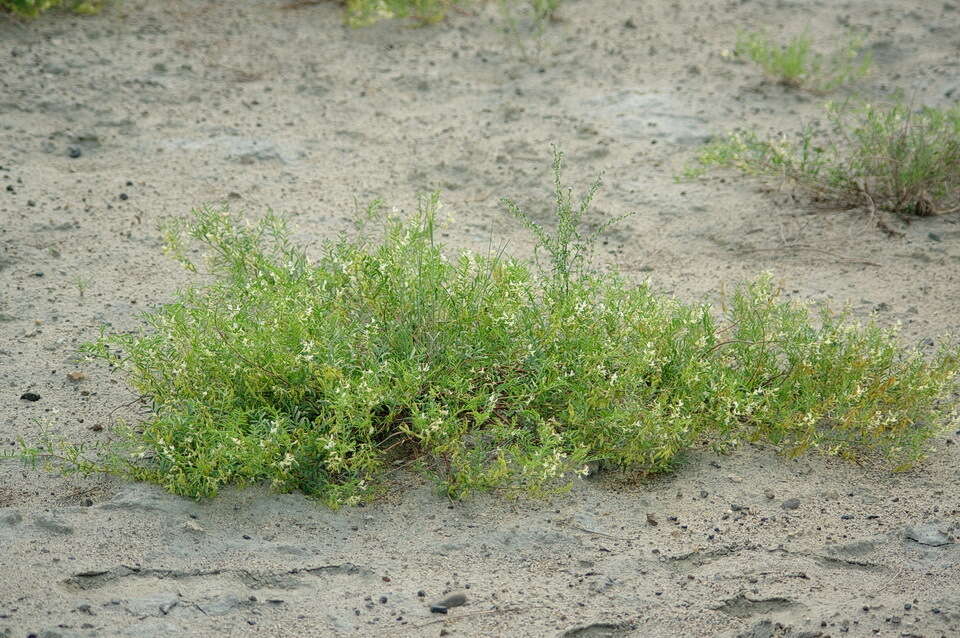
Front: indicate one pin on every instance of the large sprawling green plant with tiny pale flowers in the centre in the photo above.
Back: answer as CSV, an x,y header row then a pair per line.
x,y
484,371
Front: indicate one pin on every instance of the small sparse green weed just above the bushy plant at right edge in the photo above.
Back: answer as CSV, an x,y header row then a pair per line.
x,y
797,65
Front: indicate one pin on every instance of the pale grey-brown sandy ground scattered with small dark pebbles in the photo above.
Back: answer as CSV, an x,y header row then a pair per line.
x,y
109,124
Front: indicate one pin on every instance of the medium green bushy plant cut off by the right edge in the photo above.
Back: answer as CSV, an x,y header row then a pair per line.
x,y
882,157
